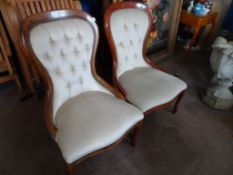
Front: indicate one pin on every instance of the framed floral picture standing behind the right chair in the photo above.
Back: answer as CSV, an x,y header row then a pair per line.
x,y
161,45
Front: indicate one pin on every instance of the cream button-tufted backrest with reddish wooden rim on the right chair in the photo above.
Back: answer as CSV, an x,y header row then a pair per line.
x,y
128,27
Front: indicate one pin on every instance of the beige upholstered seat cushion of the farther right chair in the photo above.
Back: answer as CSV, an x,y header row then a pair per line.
x,y
148,87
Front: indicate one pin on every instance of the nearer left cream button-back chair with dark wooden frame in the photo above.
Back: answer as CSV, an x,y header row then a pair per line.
x,y
84,114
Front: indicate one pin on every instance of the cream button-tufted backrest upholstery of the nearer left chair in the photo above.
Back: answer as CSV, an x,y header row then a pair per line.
x,y
65,48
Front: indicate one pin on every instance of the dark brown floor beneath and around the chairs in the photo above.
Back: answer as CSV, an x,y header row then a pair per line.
x,y
197,140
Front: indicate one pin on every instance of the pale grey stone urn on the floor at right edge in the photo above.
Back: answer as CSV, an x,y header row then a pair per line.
x,y
219,95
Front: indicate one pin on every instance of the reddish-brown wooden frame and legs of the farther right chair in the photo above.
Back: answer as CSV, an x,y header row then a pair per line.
x,y
107,17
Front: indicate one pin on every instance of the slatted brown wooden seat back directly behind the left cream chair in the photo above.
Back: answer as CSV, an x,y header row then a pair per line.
x,y
14,13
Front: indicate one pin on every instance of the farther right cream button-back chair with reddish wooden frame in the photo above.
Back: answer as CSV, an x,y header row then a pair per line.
x,y
143,83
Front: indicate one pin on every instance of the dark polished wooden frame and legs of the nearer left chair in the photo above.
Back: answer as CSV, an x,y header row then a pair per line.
x,y
28,52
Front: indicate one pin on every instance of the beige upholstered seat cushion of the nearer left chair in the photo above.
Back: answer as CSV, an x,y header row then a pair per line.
x,y
91,121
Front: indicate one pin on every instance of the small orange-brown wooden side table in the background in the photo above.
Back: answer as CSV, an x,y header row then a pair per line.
x,y
198,22
